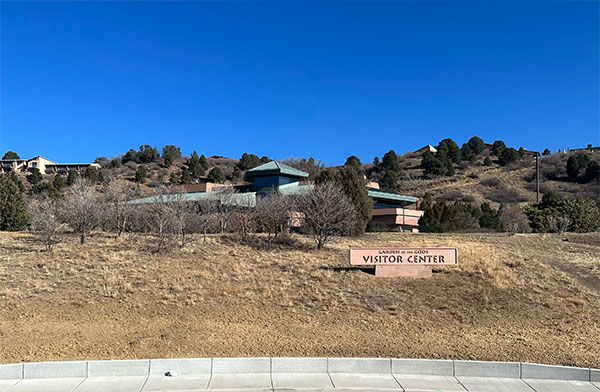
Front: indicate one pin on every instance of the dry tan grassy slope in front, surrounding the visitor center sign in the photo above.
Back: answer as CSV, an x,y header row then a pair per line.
x,y
512,298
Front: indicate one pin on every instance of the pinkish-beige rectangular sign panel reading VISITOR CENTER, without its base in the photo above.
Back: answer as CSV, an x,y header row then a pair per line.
x,y
403,256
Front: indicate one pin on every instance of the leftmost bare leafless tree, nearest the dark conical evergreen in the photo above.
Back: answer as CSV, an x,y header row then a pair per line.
x,y
45,221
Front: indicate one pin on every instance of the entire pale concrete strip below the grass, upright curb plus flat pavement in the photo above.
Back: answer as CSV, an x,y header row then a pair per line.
x,y
290,374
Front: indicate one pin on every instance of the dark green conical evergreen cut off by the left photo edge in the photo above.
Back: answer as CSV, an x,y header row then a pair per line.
x,y
13,209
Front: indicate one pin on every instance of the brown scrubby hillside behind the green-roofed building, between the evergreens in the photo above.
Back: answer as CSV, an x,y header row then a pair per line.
x,y
472,181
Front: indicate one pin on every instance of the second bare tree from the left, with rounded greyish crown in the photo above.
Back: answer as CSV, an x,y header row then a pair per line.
x,y
80,207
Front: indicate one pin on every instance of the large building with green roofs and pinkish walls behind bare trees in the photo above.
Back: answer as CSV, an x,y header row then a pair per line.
x,y
391,211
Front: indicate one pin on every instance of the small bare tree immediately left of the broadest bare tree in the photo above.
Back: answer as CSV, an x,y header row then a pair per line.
x,y
273,214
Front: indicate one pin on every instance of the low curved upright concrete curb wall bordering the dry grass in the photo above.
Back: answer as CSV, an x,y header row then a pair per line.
x,y
208,366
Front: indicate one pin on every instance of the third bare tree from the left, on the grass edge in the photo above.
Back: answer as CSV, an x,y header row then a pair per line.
x,y
117,212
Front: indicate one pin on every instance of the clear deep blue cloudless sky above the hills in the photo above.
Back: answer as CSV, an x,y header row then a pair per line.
x,y
87,79
